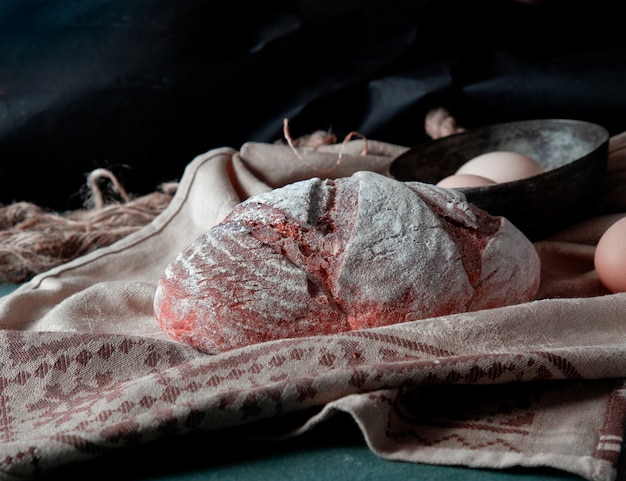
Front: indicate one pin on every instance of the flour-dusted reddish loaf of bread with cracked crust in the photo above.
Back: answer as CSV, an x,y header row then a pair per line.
x,y
327,256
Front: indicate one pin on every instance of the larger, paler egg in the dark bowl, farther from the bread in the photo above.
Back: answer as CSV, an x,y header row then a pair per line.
x,y
501,166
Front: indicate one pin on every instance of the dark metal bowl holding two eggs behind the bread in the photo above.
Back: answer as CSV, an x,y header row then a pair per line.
x,y
573,153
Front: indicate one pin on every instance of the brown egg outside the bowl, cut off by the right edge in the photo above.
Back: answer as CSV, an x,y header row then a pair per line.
x,y
610,257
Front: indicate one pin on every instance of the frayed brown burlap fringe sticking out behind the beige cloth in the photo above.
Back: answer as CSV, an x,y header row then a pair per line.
x,y
33,240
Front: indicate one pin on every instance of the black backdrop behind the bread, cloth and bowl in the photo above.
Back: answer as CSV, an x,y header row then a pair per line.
x,y
143,86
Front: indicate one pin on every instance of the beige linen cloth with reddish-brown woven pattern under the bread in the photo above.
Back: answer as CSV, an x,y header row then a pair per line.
x,y
85,367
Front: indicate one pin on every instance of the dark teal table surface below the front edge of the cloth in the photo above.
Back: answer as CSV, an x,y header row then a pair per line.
x,y
333,451
